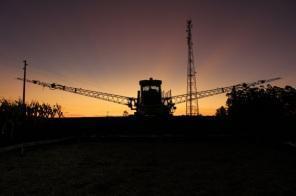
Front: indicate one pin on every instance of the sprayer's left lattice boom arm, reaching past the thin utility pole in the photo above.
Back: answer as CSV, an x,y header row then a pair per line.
x,y
129,101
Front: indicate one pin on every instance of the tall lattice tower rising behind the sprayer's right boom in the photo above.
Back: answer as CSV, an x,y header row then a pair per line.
x,y
191,104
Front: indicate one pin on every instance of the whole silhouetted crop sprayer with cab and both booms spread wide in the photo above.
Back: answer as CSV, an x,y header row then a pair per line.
x,y
151,100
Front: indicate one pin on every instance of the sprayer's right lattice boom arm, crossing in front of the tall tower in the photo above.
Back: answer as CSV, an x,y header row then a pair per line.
x,y
202,94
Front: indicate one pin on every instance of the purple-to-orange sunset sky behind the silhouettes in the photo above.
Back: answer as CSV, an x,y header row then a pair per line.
x,y
110,45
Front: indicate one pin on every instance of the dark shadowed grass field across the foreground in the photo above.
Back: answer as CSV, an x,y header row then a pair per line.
x,y
149,168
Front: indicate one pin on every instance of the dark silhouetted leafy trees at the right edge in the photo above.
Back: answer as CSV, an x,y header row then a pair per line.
x,y
265,108
